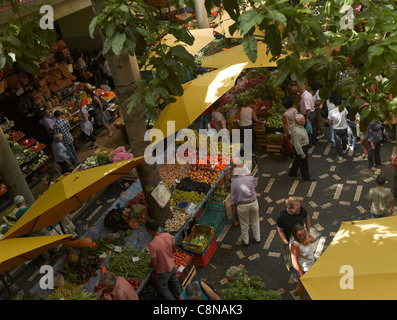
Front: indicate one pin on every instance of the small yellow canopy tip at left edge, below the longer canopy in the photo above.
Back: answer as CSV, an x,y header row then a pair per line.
x,y
14,252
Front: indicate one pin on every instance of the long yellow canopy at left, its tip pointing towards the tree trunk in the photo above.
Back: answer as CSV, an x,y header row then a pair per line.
x,y
67,195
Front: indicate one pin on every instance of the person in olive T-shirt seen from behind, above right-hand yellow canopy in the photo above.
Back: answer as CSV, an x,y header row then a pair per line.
x,y
380,200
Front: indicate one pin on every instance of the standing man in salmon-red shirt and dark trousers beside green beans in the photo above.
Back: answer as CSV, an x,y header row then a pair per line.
x,y
161,250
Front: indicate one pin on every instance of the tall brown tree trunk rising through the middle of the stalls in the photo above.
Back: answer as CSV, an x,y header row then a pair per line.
x,y
124,70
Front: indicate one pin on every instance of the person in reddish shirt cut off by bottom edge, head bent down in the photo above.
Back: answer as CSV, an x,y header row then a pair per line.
x,y
115,288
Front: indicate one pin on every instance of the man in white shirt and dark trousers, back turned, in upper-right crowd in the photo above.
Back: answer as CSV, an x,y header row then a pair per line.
x,y
339,124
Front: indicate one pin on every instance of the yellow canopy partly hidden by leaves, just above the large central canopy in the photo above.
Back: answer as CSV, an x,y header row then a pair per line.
x,y
237,55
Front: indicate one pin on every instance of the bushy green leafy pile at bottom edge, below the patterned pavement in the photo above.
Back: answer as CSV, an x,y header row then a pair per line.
x,y
248,288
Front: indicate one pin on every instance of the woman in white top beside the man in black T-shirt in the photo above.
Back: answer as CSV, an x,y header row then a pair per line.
x,y
302,255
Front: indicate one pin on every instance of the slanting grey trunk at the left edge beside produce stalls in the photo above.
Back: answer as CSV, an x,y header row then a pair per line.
x,y
11,173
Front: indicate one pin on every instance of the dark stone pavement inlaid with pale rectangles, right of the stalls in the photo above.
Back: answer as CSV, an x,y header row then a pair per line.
x,y
336,195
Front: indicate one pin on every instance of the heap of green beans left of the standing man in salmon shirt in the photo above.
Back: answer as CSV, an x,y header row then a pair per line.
x,y
123,265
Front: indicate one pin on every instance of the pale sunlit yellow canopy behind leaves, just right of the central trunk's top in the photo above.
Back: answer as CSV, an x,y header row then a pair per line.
x,y
202,37
